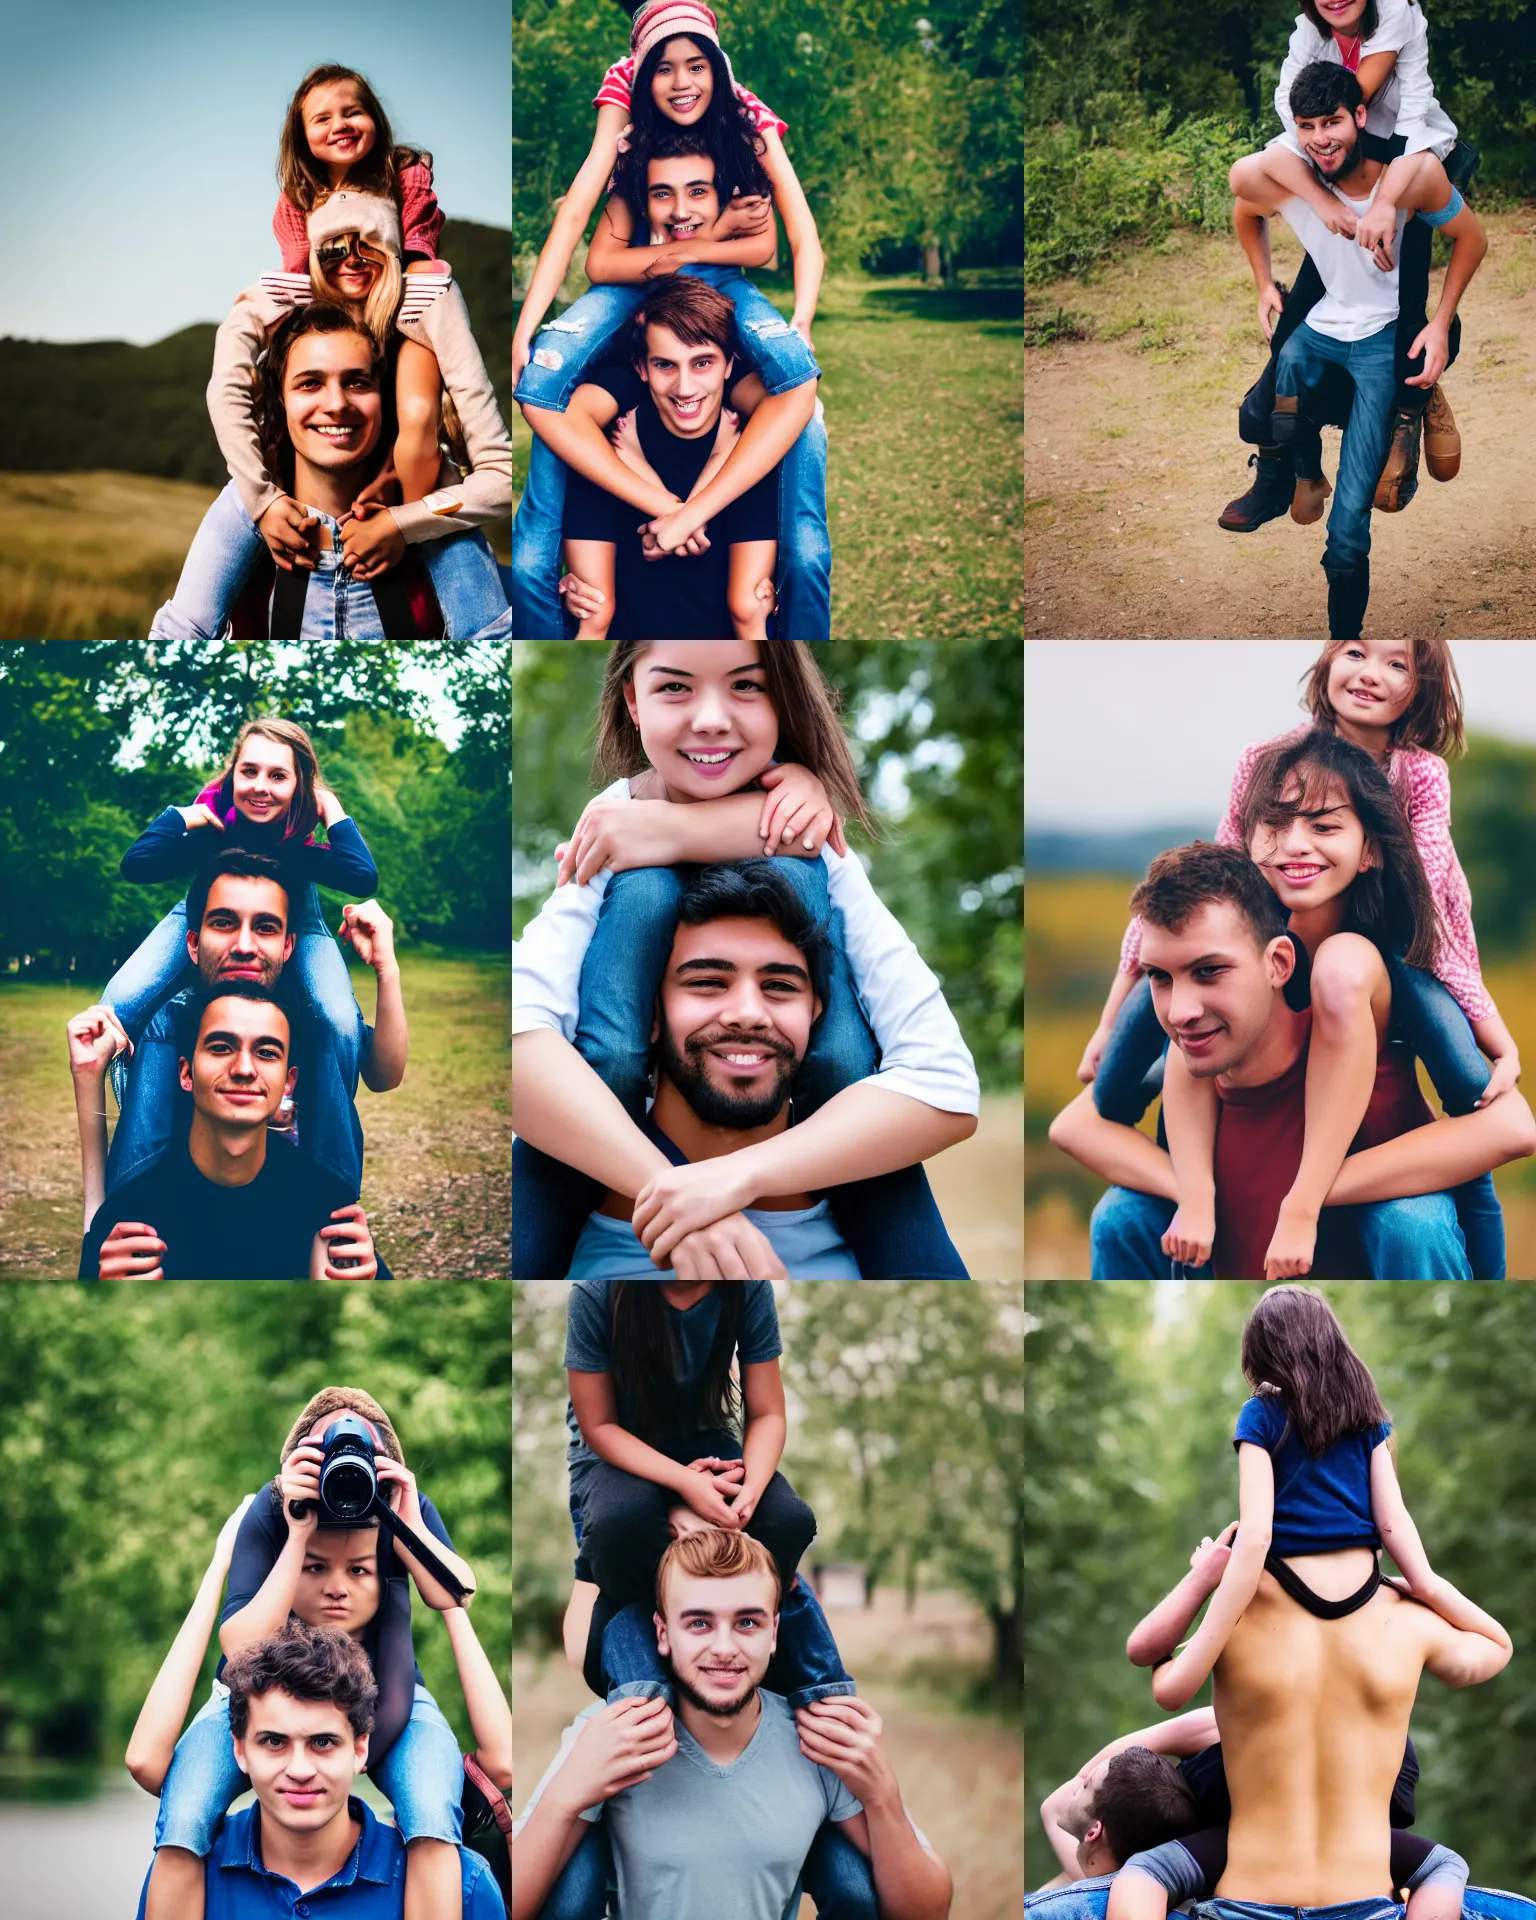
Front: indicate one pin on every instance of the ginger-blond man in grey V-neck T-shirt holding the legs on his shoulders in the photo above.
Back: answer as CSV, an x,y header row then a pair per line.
x,y
713,1812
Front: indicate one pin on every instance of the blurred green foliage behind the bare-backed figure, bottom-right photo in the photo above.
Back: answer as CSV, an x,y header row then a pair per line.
x,y
1132,1399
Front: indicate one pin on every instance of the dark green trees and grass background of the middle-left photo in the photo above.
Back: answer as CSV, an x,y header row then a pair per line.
x,y
99,736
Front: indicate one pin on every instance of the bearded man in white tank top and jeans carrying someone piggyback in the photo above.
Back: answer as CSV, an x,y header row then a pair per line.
x,y
1341,362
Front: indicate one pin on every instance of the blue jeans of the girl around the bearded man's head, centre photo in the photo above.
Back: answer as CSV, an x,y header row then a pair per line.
x,y
890,1224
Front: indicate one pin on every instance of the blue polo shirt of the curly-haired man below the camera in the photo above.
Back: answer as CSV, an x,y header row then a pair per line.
x,y
372,1886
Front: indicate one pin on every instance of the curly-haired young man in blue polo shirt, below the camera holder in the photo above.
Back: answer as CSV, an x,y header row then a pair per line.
x,y
300,1708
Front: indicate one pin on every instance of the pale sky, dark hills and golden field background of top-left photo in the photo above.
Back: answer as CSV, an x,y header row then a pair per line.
x,y
151,191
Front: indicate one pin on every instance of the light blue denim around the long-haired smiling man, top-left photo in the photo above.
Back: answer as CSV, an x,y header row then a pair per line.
x,y
228,548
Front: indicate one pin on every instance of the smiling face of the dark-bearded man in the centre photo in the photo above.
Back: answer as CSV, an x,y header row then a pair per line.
x,y
734,1020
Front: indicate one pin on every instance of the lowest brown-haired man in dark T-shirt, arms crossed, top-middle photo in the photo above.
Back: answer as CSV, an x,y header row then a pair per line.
x,y
621,523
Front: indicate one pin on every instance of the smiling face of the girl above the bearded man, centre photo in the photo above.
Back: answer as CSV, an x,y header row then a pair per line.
x,y
704,715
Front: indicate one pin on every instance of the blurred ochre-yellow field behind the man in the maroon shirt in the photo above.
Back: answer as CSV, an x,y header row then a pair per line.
x,y
1074,926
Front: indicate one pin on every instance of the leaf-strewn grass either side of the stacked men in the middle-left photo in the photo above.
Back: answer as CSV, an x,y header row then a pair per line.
x,y
437,1178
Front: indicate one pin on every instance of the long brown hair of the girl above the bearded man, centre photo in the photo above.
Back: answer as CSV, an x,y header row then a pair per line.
x,y
811,734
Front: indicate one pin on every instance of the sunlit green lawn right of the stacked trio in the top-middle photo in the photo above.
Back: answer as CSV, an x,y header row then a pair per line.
x,y
924,483
